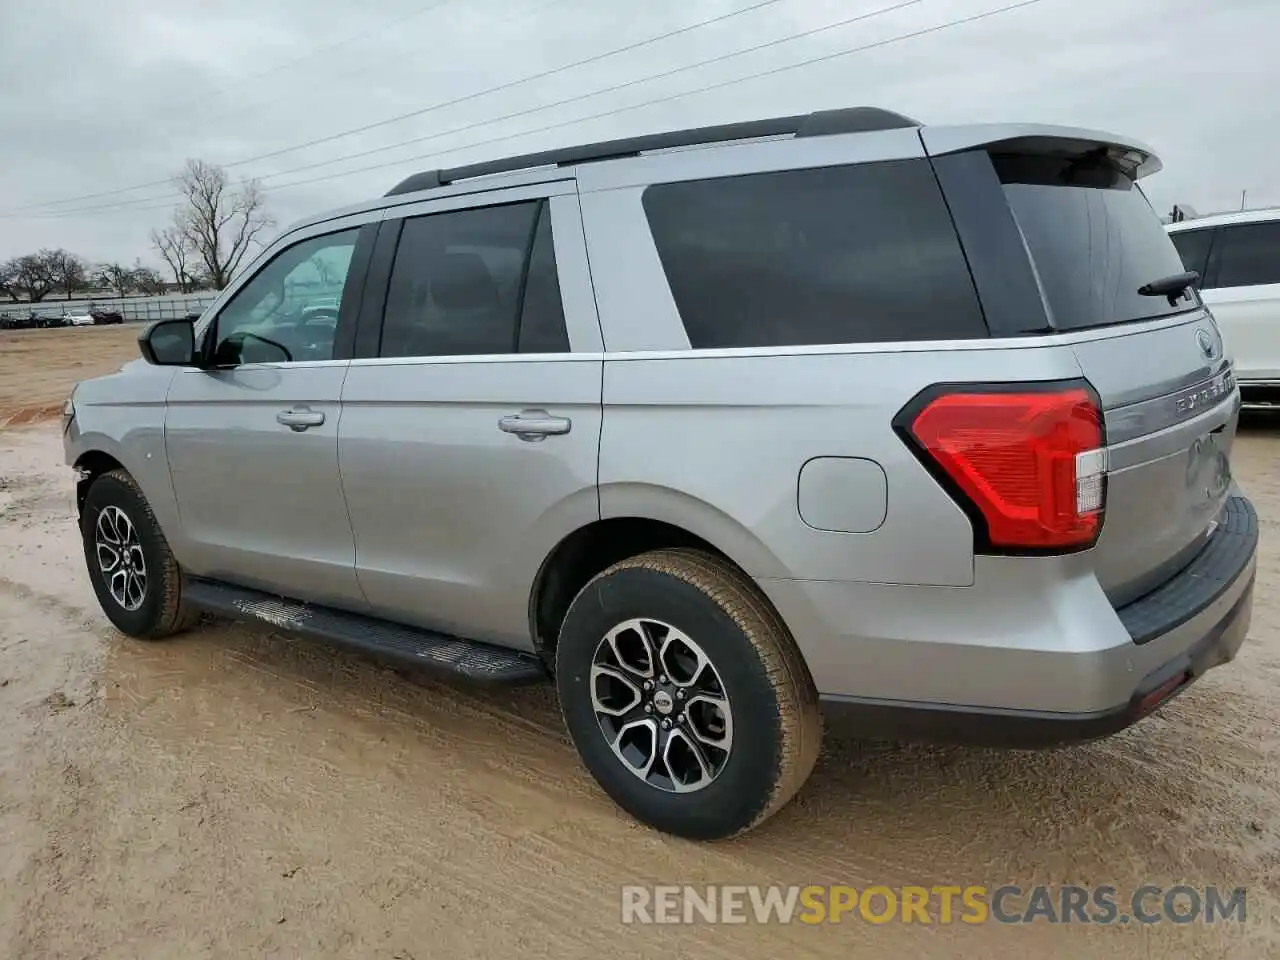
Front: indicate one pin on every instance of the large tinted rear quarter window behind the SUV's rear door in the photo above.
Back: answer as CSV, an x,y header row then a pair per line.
x,y
836,255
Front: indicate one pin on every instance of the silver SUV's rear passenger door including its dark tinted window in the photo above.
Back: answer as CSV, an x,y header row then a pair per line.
x,y
472,415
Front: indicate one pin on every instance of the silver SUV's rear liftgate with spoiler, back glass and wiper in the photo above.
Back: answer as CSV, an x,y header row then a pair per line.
x,y
1155,358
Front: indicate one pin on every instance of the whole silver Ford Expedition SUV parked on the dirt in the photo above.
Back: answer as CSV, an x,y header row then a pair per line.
x,y
723,429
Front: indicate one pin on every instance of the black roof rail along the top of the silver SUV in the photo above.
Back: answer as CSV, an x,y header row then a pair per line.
x,y
821,124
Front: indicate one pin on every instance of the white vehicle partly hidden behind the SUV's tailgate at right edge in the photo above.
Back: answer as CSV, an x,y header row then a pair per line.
x,y
1238,259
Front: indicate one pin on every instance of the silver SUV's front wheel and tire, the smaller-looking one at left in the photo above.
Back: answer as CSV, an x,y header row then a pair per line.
x,y
156,610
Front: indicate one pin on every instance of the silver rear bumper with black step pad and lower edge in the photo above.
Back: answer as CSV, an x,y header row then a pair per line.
x,y
1032,664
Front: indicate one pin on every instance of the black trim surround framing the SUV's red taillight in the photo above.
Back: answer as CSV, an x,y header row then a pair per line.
x,y
982,543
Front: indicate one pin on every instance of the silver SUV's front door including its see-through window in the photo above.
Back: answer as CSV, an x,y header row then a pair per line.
x,y
253,440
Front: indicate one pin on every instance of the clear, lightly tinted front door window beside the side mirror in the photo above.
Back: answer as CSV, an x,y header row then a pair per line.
x,y
290,310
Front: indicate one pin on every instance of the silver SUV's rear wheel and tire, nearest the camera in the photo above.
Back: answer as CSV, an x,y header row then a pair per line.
x,y
755,757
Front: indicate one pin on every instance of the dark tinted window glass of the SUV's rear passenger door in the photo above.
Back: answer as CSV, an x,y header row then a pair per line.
x,y
476,282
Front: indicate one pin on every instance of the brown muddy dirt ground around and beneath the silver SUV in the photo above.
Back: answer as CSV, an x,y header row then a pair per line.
x,y
236,794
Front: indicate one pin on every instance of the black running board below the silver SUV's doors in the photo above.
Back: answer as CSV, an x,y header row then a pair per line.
x,y
478,662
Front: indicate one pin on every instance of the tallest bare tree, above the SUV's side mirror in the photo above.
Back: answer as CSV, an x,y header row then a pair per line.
x,y
220,221
